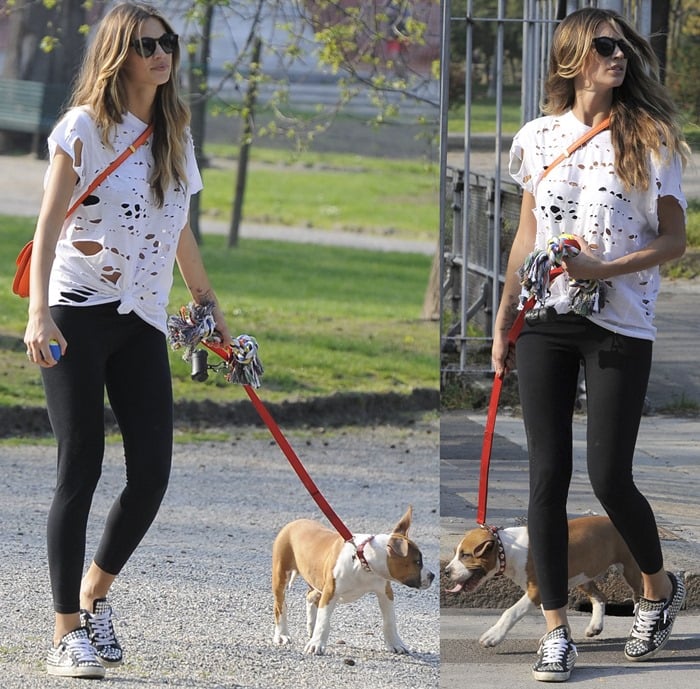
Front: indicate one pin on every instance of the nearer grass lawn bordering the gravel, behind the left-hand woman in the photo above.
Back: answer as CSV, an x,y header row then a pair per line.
x,y
327,320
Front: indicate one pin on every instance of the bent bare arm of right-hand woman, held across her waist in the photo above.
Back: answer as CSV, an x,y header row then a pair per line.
x,y
669,244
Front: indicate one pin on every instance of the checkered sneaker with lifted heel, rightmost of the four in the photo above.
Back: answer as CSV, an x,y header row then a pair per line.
x,y
653,621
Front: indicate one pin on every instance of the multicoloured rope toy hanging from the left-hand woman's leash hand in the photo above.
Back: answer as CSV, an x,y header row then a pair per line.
x,y
195,325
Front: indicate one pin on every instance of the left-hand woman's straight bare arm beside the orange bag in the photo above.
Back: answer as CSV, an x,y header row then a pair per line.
x,y
41,328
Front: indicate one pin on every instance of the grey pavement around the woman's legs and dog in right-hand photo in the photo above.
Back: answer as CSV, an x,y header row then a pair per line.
x,y
666,471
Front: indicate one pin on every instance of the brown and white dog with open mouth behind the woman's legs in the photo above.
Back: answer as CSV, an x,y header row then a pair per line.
x,y
594,546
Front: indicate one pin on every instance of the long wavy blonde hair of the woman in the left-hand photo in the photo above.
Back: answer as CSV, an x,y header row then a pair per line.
x,y
100,84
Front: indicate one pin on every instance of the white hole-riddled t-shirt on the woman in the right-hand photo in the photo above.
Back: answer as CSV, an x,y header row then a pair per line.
x,y
583,196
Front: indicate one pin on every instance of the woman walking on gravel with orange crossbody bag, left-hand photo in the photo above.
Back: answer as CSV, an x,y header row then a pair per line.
x,y
99,288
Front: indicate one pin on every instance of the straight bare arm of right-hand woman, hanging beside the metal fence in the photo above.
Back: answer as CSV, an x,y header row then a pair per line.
x,y
502,353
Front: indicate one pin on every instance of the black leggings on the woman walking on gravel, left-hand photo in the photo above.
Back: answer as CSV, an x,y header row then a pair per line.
x,y
128,358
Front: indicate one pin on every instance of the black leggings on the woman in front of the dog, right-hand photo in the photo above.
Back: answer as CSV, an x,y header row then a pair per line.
x,y
549,356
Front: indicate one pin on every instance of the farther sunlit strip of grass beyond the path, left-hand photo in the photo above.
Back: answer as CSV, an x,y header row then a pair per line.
x,y
328,191
